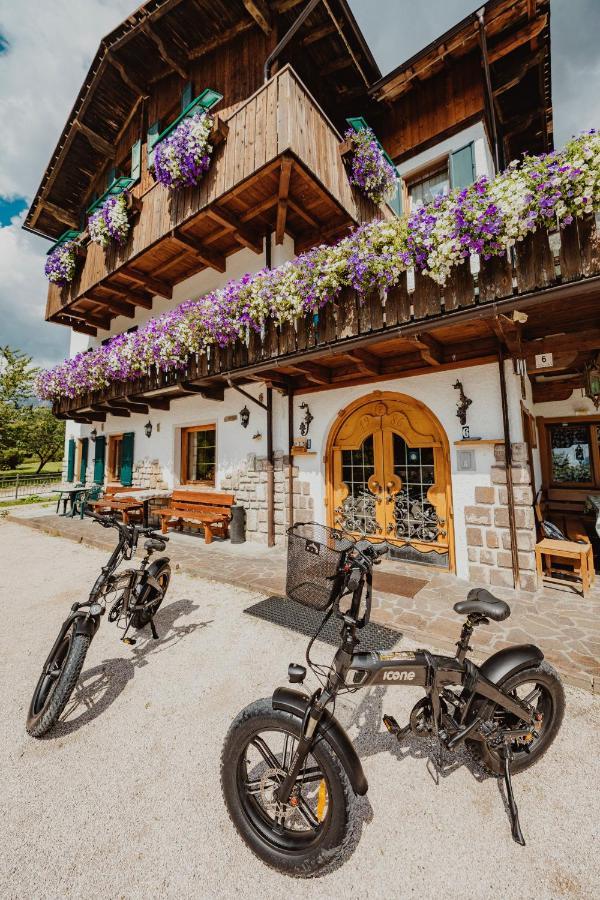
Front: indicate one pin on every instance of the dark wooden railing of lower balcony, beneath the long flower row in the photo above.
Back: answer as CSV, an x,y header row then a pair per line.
x,y
544,271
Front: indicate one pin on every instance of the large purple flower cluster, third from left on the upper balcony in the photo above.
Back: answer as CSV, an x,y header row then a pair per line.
x,y
182,158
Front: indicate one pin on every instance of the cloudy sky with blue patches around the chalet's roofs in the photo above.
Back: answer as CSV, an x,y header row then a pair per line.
x,y
46,47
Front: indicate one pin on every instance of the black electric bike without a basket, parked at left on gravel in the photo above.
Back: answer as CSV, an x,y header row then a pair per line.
x,y
132,596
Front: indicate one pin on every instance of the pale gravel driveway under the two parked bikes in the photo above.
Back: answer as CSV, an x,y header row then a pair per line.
x,y
123,799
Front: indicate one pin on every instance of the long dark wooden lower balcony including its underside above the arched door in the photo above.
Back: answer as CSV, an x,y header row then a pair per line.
x,y
417,327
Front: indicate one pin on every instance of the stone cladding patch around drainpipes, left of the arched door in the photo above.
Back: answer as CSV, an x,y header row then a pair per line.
x,y
249,485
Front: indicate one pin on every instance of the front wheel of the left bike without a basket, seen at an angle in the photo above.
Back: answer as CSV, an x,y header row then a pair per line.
x,y
56,683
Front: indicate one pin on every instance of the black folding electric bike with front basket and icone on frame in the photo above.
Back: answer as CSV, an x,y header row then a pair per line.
x,y
289,772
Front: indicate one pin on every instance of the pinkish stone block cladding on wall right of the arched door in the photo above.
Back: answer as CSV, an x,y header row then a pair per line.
x,y
488,534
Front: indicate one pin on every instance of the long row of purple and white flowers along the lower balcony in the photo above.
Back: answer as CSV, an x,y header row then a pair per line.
x,y
484,219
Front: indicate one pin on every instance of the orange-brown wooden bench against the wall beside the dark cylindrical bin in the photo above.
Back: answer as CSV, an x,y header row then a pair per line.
x,y
210,510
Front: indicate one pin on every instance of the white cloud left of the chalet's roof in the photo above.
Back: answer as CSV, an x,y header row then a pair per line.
x,y
50,47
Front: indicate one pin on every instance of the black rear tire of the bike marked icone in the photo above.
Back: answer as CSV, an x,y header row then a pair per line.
x,y
549,677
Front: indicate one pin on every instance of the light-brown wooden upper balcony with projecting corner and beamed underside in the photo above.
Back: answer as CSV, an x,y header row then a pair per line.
x,y
277,168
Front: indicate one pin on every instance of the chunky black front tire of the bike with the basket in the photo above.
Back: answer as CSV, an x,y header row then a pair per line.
x,y
319,858
